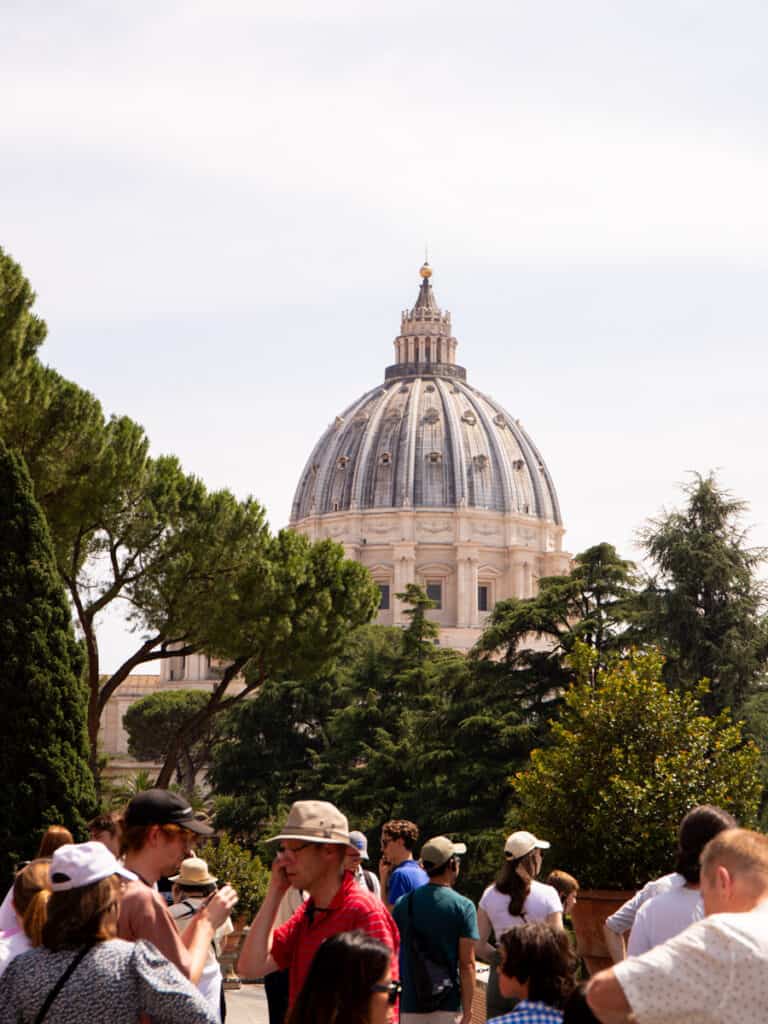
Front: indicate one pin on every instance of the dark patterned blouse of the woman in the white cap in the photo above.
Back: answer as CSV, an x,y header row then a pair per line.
x,y
116,982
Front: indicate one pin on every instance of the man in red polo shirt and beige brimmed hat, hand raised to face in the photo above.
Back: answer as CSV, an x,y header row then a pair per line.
x,y
313,847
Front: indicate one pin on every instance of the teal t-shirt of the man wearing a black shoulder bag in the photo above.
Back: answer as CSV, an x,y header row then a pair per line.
x,y
442,918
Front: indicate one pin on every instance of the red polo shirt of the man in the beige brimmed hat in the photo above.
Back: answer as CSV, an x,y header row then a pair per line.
x,y
295,944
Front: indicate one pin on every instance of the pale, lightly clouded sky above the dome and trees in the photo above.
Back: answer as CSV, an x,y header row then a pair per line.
x,y
224,206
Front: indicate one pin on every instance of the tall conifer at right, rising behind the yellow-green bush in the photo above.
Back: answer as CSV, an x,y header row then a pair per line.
x,y
706,606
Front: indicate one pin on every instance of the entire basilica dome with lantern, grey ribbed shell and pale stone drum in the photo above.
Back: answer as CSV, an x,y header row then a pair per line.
x,y
425,480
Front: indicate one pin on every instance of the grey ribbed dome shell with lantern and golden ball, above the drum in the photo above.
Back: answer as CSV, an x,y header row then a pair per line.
x,y
425,439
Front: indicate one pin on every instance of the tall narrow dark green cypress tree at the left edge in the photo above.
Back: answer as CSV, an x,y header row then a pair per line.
x,y
45,749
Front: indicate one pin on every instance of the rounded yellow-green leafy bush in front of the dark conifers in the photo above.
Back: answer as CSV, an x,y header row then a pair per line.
x,y
626,761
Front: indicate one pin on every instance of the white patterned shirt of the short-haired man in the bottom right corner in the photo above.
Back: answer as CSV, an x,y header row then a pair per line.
x,y
715,972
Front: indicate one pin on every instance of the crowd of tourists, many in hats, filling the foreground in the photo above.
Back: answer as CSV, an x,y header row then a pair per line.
x,y
88,934
